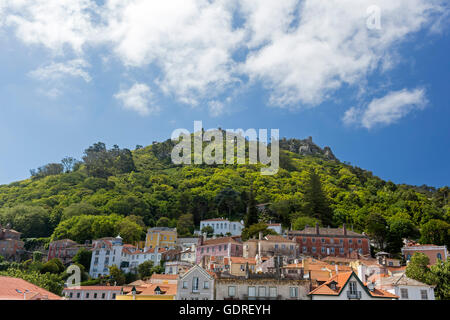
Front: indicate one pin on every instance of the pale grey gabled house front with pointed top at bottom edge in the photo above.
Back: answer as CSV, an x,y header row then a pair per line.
x,y
196,284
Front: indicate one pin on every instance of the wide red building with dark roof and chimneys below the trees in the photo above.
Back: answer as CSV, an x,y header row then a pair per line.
x,y
321,242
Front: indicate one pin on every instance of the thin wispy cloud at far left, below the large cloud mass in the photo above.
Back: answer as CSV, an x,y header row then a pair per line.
x,y
56,71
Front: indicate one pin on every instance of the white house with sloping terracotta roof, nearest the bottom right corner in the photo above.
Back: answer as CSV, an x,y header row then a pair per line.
x,y
406,288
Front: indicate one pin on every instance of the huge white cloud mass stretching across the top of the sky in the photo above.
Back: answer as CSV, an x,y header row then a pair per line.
x,y
302,51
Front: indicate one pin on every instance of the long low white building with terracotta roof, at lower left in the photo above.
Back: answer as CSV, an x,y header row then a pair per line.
x,y
92,292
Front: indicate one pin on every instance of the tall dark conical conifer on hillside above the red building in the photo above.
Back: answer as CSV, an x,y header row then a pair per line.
x,y
316,203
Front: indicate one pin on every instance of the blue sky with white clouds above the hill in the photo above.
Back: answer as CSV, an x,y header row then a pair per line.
x,y
369,78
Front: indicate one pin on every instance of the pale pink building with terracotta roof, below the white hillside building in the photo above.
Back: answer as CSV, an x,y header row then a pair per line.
x,y
218,247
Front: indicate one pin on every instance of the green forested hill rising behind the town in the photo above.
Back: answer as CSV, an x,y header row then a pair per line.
x,y
118,190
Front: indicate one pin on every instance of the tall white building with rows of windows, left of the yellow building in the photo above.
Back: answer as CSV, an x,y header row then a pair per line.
x,y
106,252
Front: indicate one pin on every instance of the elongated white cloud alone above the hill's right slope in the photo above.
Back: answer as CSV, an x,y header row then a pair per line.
x,y
388,109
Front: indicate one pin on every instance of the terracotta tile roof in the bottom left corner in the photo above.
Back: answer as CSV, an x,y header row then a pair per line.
x,y
8,286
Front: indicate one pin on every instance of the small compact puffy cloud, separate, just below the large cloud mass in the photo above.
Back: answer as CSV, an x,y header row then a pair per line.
x,y
138,98
